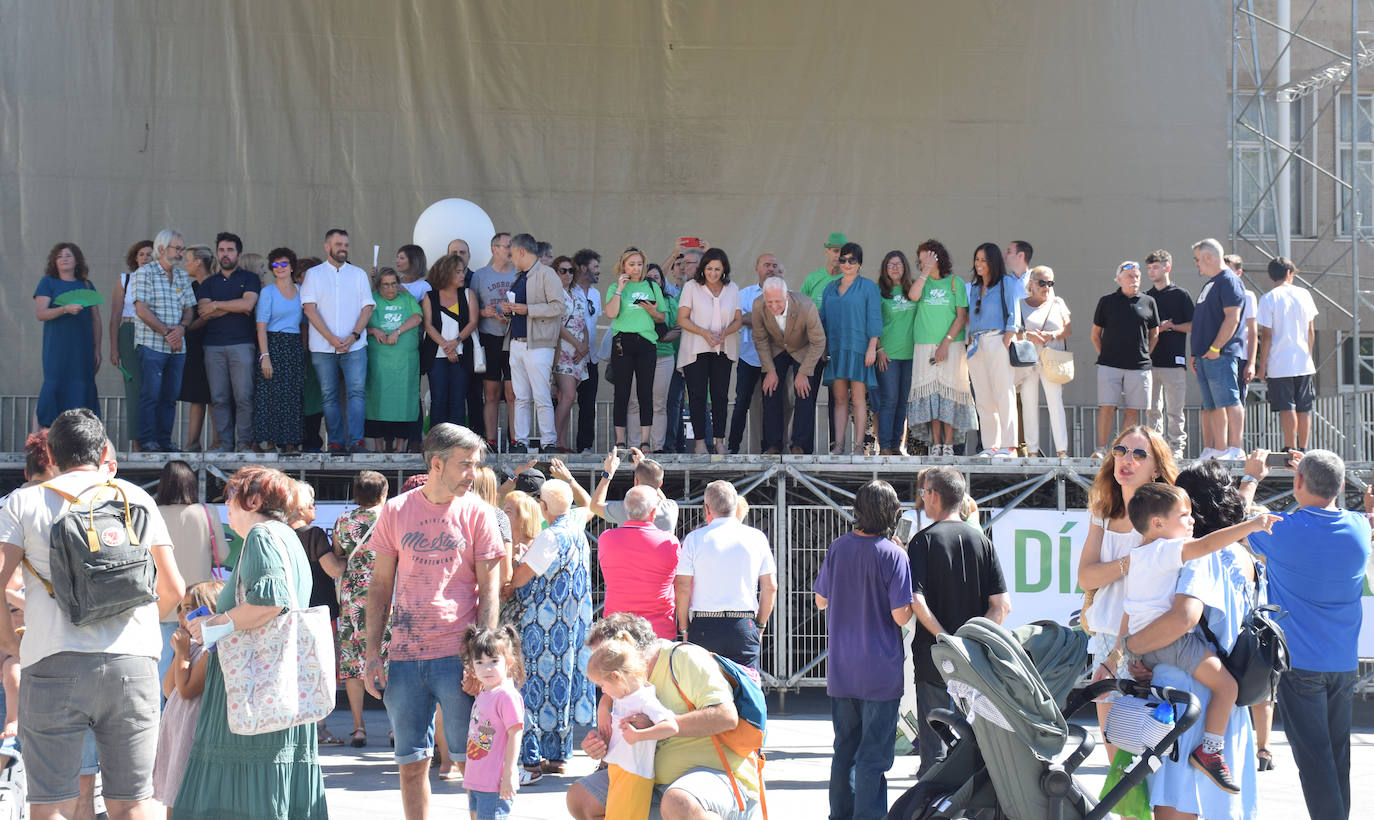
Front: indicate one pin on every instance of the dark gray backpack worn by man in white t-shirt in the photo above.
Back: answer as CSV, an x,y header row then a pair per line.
x,y
100,562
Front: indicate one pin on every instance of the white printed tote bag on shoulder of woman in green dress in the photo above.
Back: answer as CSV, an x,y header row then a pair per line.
x,y
280,675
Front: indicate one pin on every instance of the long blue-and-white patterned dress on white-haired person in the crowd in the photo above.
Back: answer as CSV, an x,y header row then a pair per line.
x,y
553,628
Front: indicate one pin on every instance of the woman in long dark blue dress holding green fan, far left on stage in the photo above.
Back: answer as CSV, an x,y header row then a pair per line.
x,y
71,336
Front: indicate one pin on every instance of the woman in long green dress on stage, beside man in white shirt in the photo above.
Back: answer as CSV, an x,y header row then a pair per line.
x,y
394,365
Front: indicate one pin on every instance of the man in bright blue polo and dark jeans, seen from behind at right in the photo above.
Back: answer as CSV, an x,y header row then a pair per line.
x,y
1317,560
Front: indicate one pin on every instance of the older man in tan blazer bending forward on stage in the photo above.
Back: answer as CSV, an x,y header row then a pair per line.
x,y
788,334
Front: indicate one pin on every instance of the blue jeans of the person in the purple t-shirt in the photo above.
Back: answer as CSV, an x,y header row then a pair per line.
x,y
865,751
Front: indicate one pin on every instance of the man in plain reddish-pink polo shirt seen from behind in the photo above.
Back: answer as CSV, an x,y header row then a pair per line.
x,y
640,561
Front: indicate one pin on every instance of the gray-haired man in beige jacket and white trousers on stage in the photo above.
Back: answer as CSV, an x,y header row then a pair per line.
x,y
535,307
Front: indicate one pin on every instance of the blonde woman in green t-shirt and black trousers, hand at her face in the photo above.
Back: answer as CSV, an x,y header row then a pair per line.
x,y
635,307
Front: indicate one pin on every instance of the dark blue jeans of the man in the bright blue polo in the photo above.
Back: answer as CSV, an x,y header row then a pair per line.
x,y
1316,708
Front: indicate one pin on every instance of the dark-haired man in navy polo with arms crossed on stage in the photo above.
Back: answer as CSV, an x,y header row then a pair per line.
x,y
227,303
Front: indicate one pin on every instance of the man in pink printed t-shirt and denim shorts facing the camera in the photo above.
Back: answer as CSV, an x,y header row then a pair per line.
x,y
440,551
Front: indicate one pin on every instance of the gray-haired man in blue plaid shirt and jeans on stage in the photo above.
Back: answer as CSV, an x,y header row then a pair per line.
x,y
166,306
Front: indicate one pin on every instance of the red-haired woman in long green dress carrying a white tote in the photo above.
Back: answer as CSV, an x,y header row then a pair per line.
x,y
273,777
